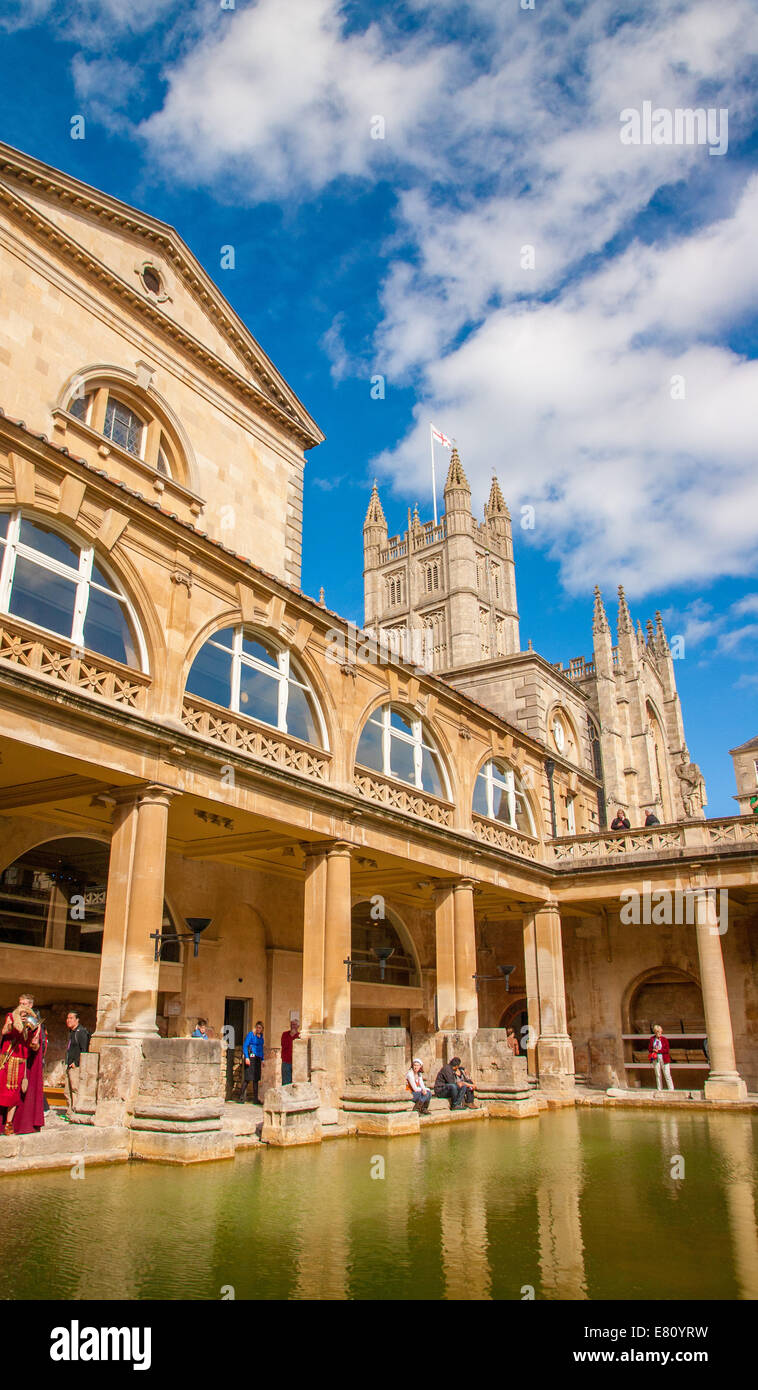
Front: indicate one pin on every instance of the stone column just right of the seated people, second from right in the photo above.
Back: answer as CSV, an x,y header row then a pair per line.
x,y
556,1058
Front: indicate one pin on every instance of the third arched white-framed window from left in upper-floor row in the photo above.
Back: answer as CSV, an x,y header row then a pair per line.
x,y
397,744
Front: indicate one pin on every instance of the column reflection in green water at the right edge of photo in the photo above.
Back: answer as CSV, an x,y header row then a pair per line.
x,y
734,1139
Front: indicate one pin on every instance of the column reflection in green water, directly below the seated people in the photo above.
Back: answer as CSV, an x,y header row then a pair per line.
x,y
464,1231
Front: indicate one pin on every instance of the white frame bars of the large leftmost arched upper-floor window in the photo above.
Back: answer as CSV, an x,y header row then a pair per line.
x,y
81,576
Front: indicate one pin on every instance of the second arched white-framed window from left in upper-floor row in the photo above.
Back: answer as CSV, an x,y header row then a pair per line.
x,y
251,676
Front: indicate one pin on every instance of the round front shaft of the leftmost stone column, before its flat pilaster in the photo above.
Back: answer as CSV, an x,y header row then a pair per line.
x,y
145,915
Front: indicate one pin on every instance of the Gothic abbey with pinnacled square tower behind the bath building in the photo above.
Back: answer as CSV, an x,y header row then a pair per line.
x,y
617,715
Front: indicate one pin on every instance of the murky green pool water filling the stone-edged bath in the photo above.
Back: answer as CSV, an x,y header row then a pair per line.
x,y
574,1204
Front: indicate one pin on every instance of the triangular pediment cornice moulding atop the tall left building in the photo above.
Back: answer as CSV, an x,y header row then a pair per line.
x,y
287,411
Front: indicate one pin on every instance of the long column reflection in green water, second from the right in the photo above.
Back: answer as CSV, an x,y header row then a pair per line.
x,y
558,1209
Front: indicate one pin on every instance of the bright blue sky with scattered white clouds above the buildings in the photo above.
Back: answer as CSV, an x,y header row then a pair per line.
x,y
610,375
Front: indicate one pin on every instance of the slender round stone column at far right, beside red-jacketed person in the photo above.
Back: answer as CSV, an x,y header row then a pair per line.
x,y
724,1082
